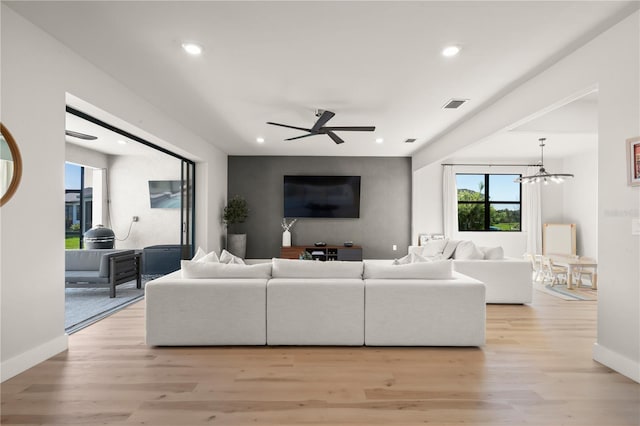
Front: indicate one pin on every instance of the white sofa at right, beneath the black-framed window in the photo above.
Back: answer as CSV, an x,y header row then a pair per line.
x,y
507,280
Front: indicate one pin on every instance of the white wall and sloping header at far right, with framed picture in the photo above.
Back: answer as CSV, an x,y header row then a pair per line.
x,y
609,62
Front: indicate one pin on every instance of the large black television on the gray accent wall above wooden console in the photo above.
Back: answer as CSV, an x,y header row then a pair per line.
x,y
322,196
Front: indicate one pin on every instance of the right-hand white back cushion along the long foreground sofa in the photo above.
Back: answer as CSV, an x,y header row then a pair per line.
x,y
436,270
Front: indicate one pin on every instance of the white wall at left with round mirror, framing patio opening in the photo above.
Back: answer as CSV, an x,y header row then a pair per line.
x,y
37,75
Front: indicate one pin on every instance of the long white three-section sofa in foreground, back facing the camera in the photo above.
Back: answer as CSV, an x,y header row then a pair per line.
x,y
316,303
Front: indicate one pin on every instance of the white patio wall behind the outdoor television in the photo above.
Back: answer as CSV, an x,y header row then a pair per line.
x,y
129,178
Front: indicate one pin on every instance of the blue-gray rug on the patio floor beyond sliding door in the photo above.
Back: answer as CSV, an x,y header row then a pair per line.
x,y
84,306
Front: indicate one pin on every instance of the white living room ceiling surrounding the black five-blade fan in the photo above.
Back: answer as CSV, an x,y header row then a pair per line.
x,y
372,63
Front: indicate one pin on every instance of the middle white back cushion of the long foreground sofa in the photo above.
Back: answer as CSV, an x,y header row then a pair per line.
x,y
290,268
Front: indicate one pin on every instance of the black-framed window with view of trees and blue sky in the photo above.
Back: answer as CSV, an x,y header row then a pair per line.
x,y
488,202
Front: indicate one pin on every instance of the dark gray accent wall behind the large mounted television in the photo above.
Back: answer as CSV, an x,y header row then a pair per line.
x,y
385,203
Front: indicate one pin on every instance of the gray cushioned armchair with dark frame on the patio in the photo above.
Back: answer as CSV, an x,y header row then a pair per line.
x,y
101,268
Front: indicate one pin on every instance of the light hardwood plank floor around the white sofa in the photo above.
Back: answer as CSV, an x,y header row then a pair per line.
x,y
536,369
